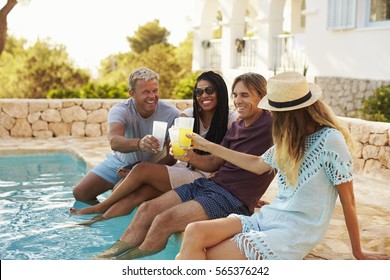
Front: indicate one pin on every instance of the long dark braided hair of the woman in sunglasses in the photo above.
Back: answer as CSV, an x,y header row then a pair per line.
x,y
219,123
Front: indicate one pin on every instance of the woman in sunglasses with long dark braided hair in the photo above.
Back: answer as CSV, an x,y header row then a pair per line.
x,y
148,180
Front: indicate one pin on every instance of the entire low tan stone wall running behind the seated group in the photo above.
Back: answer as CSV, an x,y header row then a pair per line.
x,y
88,118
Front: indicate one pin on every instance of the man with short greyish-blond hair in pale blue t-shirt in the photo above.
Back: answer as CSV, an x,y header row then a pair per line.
x,y
130,125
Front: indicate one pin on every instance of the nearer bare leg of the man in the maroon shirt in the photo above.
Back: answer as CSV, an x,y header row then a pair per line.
x,y
168,222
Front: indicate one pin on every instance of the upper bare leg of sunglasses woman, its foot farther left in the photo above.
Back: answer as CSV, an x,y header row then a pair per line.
x,y
144,173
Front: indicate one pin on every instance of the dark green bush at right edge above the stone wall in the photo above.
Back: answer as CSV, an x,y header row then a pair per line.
x,y
377,106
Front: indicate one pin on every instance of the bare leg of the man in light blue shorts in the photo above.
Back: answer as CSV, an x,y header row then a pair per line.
x,y
90,187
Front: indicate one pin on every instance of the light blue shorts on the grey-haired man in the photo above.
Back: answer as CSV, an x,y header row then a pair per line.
x,y
108,169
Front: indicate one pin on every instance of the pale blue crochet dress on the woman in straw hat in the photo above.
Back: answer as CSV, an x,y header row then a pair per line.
x,y
297,219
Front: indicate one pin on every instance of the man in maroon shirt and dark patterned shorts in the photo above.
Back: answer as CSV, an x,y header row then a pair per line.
x,y
230,190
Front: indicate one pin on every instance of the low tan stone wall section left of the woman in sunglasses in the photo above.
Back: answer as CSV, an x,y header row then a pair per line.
x,y
45,118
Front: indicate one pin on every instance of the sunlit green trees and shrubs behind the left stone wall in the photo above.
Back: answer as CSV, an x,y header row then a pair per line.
x,y
44,70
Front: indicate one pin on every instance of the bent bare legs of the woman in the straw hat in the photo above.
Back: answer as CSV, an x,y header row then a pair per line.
x,y
211,240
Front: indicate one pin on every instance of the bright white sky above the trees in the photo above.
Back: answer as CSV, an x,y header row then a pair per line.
x,y
93,29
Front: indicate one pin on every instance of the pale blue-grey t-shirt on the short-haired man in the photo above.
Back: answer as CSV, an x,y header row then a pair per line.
x,y
136,126
